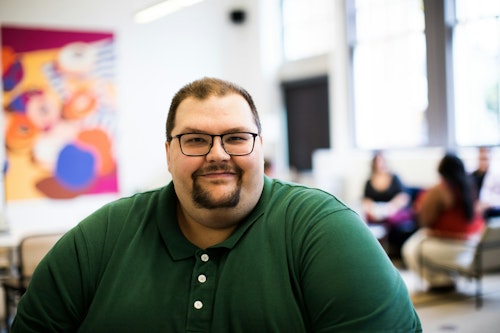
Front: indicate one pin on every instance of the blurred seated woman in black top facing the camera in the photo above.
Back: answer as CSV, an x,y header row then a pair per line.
x,y
386,202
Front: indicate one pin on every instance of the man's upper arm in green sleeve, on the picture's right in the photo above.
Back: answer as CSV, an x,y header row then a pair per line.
x,y
350,284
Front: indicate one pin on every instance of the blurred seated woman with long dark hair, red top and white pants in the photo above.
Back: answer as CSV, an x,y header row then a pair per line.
x,y
448,219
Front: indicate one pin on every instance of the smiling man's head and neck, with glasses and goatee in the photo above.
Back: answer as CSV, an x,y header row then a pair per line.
x,y
217,178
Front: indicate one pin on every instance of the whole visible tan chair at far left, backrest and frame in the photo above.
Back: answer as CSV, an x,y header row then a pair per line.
x,y
29,253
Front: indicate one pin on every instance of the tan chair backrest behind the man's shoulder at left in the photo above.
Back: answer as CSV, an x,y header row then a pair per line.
x,y
32,249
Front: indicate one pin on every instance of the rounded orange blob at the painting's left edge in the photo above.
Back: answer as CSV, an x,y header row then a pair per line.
x,y
21,133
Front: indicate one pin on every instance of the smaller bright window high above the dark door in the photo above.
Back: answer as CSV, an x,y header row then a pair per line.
x,y
307,27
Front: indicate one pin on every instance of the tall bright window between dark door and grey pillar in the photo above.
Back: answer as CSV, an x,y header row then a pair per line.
x,y
389,73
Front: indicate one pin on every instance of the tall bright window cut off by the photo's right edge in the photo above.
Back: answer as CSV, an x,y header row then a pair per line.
x,y
476,58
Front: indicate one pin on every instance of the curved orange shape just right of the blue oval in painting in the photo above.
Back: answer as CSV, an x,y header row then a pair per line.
x,y
99,142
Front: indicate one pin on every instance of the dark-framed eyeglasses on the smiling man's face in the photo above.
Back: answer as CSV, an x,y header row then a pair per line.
x,y
199,144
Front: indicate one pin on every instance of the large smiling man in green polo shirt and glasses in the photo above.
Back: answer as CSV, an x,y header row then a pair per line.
x,y
222,248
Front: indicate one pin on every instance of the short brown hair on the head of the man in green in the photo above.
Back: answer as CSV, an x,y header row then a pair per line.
x,y
202,89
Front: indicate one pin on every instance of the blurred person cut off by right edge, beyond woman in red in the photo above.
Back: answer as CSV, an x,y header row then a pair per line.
x,y
487,183
